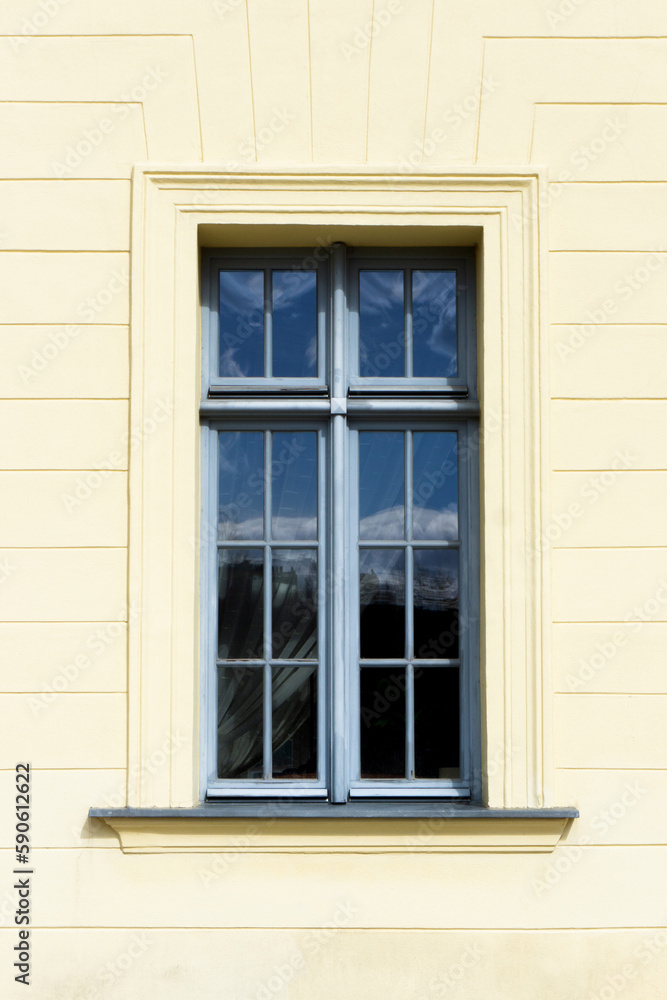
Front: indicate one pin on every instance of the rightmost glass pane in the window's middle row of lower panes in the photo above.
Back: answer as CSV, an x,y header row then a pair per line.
x,y
436,604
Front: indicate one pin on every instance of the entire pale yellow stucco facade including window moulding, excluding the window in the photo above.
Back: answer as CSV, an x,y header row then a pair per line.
x,y
134,134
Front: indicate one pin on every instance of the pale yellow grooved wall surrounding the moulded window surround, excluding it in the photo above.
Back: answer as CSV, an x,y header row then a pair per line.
x,y
88,90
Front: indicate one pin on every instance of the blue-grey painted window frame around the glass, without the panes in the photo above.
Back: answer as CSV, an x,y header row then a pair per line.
x,y
406,403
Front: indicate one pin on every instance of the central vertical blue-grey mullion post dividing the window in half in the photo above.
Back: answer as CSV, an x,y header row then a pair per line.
x,y
339,549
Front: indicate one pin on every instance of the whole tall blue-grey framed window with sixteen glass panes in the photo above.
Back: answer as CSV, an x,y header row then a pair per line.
x,y
340,622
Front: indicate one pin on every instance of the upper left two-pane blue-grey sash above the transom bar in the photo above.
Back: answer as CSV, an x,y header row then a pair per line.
x,y
249,301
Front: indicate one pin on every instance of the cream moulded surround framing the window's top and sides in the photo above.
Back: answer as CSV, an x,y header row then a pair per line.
x,y
175,210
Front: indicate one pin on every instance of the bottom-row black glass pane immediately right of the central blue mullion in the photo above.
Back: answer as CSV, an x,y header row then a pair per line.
x,y
382,723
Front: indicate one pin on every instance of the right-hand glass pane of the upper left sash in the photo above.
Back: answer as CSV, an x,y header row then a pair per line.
x,y
294,324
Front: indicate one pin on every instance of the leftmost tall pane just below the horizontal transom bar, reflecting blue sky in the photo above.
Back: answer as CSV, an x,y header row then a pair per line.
x,y
240,485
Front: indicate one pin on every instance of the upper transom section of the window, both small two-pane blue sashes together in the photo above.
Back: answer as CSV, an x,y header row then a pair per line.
x,y
424,300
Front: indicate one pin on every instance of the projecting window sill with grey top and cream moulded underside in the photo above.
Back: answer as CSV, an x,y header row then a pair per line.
x,y
350,828
